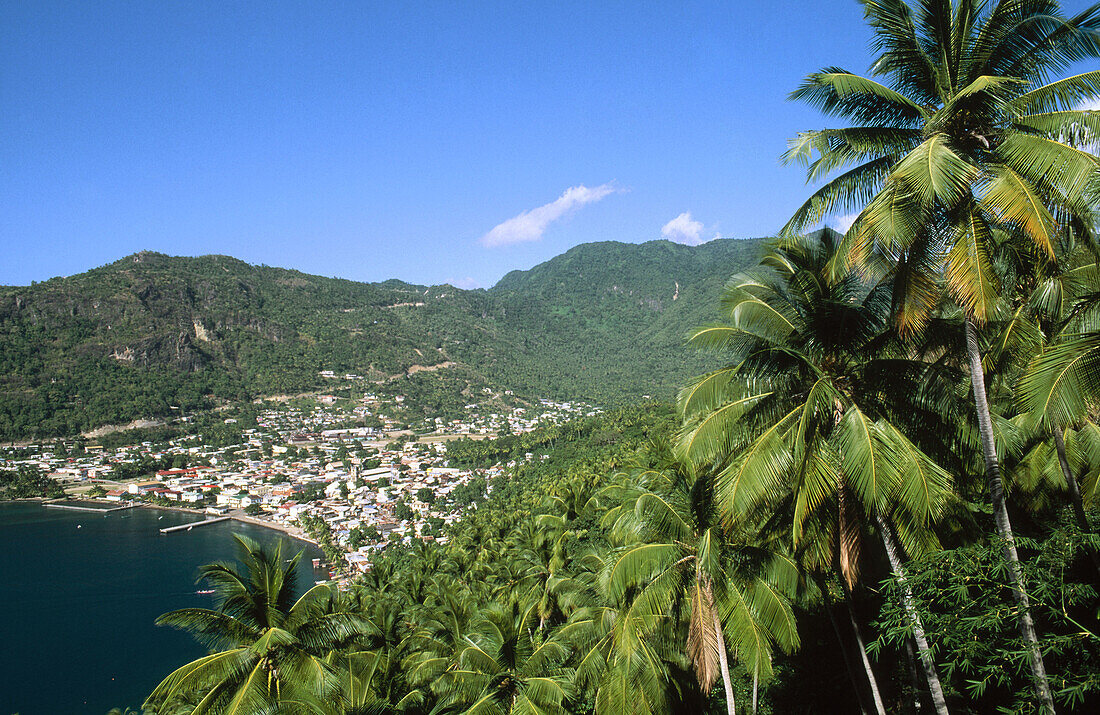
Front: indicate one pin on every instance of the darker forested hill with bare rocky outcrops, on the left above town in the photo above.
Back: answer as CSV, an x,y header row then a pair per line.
x,y
151,332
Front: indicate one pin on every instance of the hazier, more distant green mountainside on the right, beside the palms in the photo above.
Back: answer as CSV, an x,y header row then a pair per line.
x,y
608,321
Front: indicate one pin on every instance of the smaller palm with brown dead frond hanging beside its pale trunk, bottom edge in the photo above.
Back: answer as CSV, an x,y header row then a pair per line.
x,y
680,559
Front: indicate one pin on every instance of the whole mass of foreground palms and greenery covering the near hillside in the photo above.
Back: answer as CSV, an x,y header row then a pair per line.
x,y
885,499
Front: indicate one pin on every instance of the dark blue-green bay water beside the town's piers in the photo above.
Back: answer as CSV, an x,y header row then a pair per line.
x,y
80,593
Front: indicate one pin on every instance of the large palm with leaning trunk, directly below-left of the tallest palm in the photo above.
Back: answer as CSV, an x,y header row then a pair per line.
x,y
805,420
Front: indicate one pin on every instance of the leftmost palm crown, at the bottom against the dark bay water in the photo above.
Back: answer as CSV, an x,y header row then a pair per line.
x,y
270,648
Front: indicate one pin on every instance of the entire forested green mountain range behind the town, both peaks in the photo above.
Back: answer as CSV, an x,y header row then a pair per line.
x,y
604,323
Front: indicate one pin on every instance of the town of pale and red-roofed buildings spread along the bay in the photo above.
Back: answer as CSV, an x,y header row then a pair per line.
x,y
306,466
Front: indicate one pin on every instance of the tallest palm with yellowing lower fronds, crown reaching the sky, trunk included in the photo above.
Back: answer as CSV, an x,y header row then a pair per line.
x,y
966,145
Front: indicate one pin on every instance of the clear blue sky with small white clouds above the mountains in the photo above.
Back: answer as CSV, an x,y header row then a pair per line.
x,y
427,141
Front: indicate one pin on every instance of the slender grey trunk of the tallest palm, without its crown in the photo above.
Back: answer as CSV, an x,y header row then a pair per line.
x,y
1002,518
